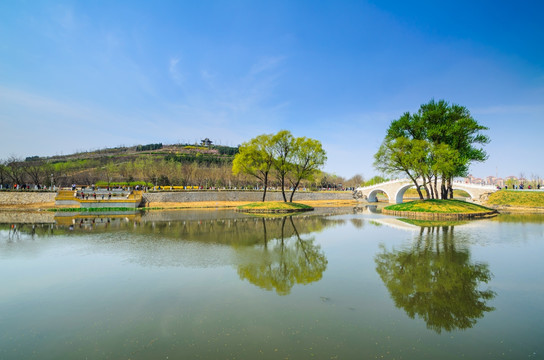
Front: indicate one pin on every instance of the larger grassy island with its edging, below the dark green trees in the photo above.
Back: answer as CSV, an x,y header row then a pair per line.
x,y
439,209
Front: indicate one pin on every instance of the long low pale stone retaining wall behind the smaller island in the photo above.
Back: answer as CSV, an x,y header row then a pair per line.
x,y
227,195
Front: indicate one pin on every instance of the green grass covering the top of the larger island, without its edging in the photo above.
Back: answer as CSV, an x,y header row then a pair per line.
x,y
439,206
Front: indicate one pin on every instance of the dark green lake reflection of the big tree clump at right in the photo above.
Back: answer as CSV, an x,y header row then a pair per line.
x,y
436,281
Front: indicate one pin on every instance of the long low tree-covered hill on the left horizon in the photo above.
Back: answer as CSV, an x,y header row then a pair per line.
x,y
179,164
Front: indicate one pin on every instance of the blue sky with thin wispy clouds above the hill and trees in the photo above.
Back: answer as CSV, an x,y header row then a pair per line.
x,y
82,75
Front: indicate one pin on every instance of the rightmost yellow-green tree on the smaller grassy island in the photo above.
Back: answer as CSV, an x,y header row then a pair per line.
x,y
306,159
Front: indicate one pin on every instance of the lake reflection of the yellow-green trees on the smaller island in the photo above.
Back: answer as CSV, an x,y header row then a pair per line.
x,y
281,263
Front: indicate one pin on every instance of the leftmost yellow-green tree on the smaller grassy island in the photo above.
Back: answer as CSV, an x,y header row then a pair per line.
x,y
255,158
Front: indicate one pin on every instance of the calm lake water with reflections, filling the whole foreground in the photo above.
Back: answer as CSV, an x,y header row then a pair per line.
x,y
335,284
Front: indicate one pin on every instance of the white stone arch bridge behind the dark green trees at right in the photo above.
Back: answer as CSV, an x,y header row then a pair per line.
x,y
395,190
